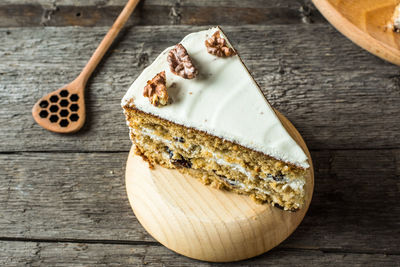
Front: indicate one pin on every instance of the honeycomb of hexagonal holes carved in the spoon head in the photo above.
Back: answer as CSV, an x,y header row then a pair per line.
x,y
60,108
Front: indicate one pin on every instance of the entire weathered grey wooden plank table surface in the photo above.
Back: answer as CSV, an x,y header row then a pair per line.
x,y
62,197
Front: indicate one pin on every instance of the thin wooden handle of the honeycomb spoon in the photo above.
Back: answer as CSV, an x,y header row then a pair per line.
x,y
106,42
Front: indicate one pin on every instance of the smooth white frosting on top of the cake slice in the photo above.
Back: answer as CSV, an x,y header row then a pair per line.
x,y
223,100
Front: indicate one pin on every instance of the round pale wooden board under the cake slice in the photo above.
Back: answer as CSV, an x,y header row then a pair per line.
x,y
204,223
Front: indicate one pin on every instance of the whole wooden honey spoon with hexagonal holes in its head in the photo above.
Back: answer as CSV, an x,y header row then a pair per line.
x,y
63,111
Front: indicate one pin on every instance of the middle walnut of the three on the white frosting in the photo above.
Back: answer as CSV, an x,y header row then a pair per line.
x,y
180,62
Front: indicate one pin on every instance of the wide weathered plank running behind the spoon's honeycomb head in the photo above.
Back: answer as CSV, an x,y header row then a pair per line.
x,y
339,96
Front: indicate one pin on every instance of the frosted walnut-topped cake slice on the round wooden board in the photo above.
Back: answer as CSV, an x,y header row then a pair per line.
x,y
197,109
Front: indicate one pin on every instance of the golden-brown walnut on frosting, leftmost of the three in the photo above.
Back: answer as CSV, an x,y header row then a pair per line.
x,y
156,90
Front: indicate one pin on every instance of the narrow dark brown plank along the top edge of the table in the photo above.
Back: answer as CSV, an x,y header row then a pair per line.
x,y
102,13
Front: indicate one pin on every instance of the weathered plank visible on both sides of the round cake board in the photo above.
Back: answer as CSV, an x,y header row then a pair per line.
x,y
82,196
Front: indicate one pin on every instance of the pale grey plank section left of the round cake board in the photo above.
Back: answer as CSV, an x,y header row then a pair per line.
x,y
66,195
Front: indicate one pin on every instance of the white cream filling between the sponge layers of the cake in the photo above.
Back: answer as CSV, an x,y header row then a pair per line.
x,y
296,184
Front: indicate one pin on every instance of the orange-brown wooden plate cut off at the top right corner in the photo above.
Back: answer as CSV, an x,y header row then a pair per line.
x,y
365,23
